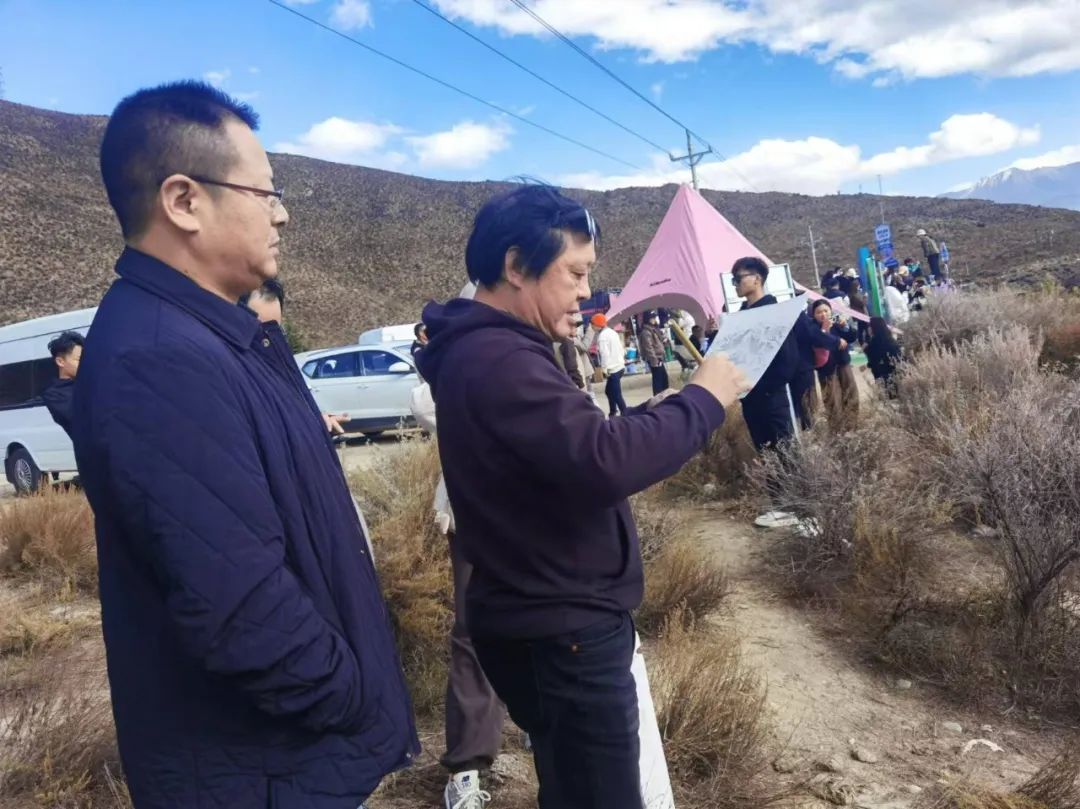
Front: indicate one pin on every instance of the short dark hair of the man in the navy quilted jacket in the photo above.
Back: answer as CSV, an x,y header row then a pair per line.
x,y
157,132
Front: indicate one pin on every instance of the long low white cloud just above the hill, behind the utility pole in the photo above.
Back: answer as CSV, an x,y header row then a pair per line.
x,y
819,166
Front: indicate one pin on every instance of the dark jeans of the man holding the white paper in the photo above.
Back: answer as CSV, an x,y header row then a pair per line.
x,y
575,696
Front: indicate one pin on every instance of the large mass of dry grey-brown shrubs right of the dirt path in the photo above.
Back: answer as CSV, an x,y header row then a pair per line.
x,y
974,469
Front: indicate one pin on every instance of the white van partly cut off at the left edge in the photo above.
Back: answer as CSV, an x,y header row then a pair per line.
x,y
33,446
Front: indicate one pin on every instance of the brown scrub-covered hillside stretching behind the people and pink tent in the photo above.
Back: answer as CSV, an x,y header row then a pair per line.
x,y
368,248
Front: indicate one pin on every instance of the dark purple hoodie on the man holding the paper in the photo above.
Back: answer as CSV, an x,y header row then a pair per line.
x,y
538,479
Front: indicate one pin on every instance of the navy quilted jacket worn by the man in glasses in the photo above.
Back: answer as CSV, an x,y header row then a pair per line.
x,y
250,652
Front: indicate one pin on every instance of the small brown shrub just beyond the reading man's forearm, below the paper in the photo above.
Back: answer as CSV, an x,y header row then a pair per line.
x,y
721,469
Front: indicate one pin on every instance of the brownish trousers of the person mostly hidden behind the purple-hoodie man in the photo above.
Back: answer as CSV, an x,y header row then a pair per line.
x,y
474,713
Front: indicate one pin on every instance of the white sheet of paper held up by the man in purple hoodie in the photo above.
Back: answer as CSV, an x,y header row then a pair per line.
x,y
751,339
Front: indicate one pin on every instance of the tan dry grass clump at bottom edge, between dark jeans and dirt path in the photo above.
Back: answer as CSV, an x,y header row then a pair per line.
x,y
712,717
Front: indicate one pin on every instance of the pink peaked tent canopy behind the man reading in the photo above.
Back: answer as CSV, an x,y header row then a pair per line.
x,y
682,268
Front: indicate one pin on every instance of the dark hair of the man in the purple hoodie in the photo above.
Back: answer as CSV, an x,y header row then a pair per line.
x,y
530,220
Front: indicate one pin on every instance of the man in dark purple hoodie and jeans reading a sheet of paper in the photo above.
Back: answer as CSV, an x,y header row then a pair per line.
x,y
538,479
